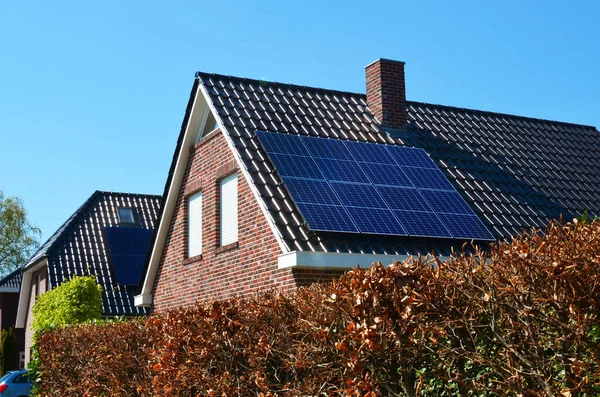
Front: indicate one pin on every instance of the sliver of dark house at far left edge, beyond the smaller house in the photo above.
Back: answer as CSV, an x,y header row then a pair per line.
x,y
10,285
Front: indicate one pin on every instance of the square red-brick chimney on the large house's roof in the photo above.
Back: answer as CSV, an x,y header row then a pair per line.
x,y
386,93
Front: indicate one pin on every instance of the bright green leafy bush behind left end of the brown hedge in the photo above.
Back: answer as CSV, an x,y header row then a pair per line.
x,y
74,302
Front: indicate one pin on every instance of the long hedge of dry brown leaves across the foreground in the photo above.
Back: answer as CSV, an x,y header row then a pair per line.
x,y
520,319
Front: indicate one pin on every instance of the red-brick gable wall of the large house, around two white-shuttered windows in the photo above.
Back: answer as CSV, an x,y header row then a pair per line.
x,y
221,272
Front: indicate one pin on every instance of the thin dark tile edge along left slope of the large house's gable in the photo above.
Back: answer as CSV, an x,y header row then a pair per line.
x,y
188,112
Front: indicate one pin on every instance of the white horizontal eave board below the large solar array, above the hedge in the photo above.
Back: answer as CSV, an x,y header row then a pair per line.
x,y
334,260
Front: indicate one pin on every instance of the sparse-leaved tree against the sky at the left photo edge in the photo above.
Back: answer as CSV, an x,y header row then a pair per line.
x,y
17,236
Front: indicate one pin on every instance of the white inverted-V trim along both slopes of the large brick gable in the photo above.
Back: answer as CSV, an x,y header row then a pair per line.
x,y
197,116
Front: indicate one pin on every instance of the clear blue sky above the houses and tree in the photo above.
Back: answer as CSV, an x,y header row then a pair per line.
x,y
92,94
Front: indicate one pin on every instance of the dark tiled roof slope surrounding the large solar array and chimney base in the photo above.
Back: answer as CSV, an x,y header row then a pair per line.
x,y
514,172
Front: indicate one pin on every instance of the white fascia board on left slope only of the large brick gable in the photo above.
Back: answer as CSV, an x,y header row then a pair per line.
x,y
196,116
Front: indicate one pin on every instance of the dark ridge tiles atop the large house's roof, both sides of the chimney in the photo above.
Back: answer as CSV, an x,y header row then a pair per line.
x,y
363,96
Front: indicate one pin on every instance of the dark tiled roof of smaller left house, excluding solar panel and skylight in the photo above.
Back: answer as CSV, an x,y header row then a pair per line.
x,y
79,247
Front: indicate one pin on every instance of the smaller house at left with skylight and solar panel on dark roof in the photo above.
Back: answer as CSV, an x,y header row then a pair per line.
x,y
108,236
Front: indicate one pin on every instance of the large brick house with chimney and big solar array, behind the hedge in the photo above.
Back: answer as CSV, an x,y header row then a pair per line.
x,y
251,204
